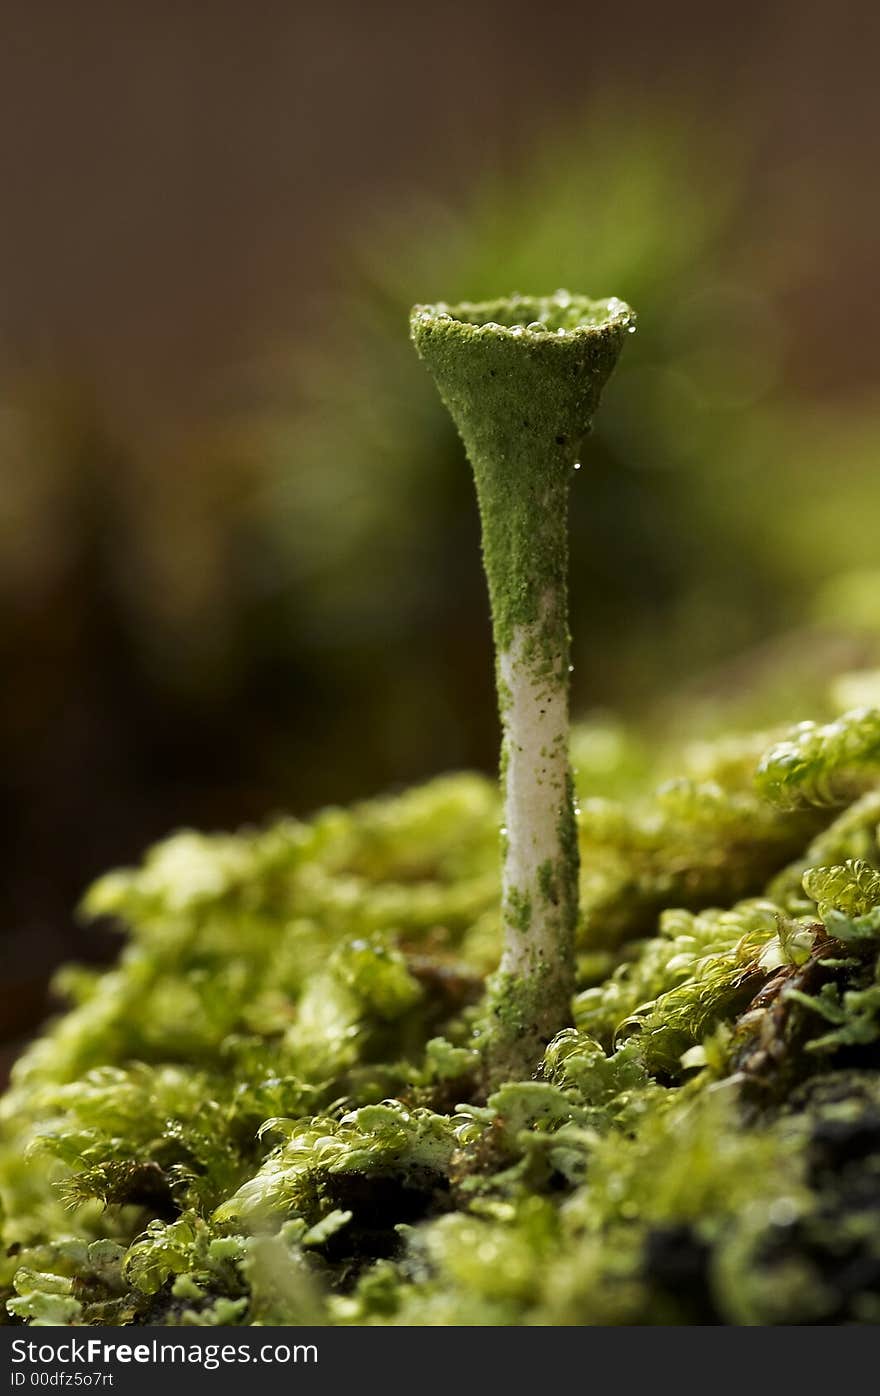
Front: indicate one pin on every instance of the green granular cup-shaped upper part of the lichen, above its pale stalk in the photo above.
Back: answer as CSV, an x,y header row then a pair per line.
x,y
522,379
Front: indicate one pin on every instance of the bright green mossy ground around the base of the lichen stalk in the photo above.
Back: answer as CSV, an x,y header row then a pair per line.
x,y
270,1109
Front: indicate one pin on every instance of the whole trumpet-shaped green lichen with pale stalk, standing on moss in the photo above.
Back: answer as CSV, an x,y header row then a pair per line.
x,y
522,379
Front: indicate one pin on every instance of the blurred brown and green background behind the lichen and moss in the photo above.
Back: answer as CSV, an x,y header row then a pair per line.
x,y
238,545
